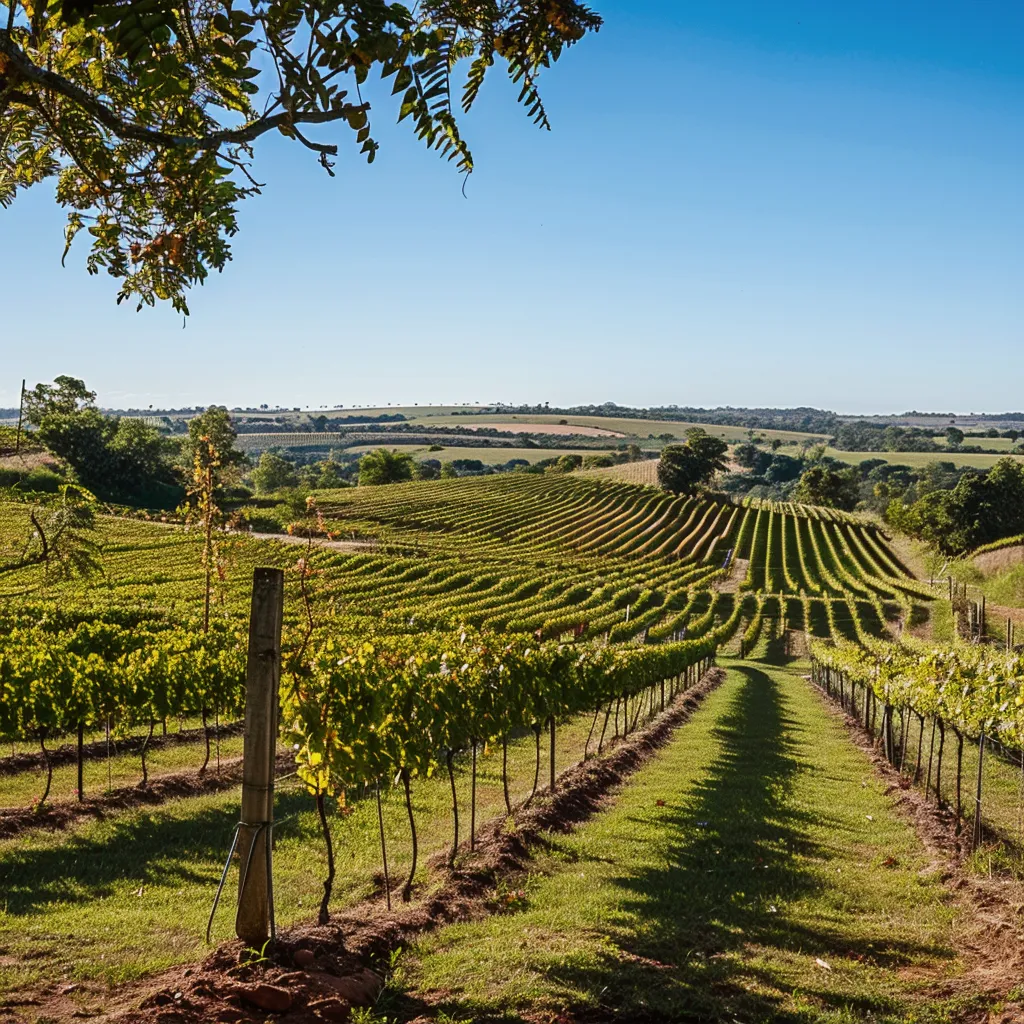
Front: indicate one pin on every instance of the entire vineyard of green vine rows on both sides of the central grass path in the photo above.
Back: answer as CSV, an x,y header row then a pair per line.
x,y
428,680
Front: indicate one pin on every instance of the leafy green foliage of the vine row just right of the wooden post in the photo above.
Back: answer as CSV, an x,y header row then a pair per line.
x,y
370,709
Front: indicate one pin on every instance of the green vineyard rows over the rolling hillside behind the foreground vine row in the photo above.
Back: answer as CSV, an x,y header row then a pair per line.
x,y
592,561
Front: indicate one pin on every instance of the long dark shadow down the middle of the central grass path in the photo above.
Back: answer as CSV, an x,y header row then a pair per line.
x,y
733,850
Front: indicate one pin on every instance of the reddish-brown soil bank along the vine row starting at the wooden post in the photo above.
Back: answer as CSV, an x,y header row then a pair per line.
x,y
318,974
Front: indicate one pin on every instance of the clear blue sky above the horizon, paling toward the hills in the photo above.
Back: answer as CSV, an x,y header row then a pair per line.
x,y
742,203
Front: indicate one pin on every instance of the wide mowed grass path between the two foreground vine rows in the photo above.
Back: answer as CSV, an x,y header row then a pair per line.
x,y
753,872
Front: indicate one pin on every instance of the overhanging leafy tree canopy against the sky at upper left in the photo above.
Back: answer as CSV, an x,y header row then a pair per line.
x,y
146,111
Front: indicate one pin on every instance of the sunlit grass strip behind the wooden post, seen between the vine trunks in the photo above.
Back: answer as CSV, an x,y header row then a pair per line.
x,y
130,895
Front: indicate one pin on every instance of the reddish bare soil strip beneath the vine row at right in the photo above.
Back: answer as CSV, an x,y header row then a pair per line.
x,y
992,931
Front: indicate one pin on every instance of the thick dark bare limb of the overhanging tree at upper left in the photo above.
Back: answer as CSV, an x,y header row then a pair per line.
x,y
24,68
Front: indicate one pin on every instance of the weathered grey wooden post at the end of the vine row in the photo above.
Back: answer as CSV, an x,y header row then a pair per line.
x,y
254,921
